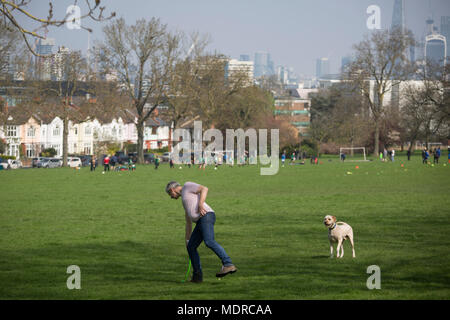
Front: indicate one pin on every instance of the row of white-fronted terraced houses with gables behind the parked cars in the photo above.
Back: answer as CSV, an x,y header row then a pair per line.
x,y
28,134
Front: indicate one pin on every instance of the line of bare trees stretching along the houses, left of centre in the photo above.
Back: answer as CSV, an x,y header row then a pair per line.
x,y
139,67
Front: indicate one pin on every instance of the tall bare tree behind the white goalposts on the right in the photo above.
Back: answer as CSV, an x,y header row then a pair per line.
x,y
382,59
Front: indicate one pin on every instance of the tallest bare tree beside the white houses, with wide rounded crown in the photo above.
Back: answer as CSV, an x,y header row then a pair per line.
x,y
143,57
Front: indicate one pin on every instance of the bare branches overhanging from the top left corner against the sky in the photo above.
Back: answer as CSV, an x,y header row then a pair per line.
x,y
12,10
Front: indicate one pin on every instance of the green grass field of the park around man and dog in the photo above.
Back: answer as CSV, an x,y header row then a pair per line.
x,y
127,235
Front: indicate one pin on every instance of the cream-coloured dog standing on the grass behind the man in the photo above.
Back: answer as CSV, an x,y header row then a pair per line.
x,y
338,232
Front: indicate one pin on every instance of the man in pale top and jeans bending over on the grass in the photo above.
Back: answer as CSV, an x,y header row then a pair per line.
x,y
193,197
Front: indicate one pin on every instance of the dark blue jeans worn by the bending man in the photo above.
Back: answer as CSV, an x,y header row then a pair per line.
x,y
204,231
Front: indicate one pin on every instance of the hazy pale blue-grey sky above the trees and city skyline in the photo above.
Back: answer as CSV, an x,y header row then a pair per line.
x,y
294,32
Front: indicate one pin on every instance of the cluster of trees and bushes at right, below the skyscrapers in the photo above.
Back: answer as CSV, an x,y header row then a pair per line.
x,y
355,111
